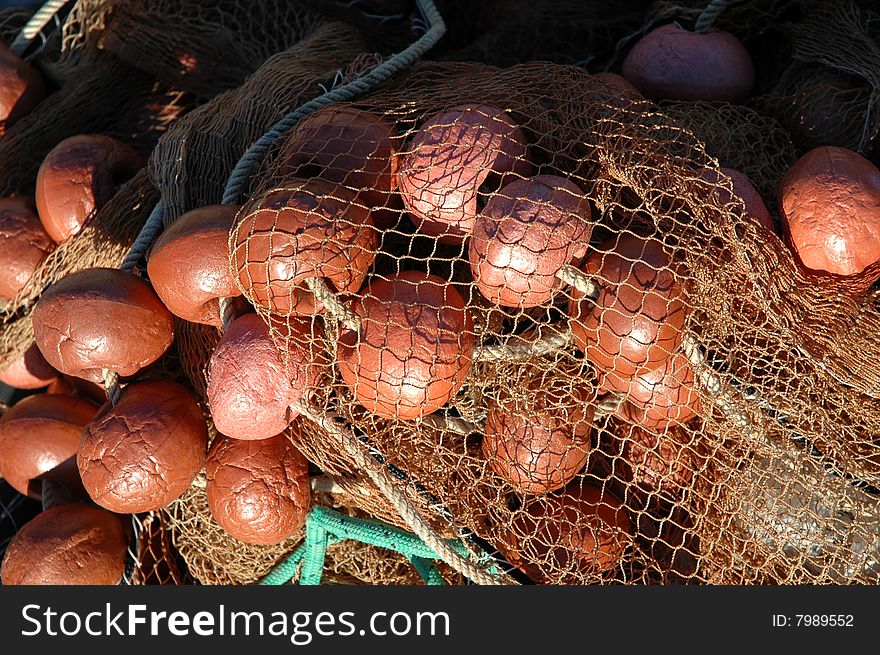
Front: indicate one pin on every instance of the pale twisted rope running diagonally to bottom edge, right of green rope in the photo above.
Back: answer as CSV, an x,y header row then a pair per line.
x,y
410,515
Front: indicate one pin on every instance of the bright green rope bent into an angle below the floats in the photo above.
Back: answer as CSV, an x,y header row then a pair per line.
x,y
325,527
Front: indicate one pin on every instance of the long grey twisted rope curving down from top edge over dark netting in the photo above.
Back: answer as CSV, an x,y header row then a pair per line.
x,y
404,59
